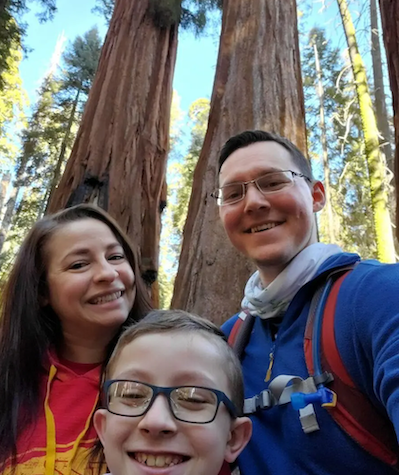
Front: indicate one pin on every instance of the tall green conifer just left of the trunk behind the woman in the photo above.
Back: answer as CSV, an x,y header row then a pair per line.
x,y
48,137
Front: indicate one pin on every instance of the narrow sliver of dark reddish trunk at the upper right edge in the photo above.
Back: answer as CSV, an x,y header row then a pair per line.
x,y
390,27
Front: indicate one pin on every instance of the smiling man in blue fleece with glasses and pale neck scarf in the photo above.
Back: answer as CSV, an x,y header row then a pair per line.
x,y
267,198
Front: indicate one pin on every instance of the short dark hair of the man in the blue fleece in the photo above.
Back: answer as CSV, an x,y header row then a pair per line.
x,y
249,137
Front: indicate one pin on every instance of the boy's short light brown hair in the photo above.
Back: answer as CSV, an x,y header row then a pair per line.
x,y
165,321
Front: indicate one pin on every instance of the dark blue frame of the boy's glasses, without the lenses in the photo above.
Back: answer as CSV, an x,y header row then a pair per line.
x,y
156,390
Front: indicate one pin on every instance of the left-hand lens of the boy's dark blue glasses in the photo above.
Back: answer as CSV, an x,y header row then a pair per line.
x,y
128,398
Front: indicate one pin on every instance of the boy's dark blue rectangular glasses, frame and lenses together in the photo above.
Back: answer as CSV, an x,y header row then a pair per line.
x,y
193,404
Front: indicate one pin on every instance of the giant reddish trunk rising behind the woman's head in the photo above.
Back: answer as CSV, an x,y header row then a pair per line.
x,y
119,157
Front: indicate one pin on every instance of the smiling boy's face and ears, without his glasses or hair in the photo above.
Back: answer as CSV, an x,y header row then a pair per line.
x,y
157,443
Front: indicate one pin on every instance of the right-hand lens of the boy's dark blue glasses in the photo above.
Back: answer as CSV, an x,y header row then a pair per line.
x,y
192,404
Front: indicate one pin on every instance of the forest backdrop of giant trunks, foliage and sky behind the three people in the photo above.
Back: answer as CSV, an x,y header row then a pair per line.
x,y
60,89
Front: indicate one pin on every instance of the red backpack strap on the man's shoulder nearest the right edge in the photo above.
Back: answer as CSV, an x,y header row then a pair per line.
x,y
354,411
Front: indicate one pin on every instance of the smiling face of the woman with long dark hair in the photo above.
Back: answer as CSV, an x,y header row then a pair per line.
x,y
91,284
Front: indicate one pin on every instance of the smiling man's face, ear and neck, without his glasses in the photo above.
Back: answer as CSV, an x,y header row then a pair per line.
x,y
270,229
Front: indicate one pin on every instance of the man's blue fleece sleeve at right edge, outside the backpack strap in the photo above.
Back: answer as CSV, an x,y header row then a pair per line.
x,y
367,333
